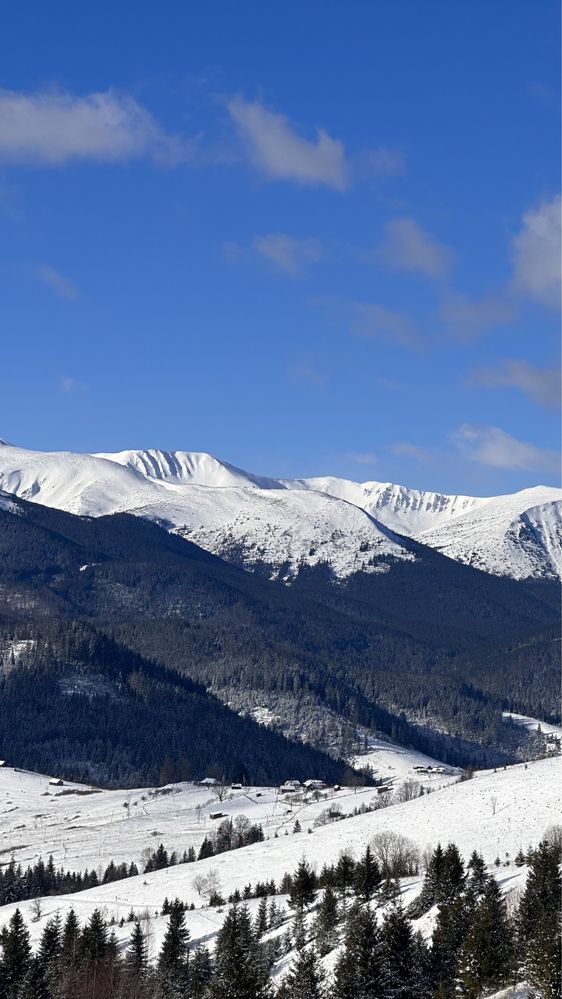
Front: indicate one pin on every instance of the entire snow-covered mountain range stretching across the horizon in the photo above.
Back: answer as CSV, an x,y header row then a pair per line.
x,y
283,524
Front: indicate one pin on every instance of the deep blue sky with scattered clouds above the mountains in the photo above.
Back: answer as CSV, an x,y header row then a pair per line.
x,y
316,238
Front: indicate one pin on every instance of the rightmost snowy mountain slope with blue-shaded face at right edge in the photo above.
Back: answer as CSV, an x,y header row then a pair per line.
x,y
520,535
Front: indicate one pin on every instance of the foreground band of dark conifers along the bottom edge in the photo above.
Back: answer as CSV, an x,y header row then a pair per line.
x,y
479,945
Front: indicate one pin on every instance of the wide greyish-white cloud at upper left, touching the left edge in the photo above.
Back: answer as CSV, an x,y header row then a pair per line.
x,y
55,128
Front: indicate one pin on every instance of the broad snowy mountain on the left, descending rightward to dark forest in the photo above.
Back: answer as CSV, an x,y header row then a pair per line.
x,y
276,526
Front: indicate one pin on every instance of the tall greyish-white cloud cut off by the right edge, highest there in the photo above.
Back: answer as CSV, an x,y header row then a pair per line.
x,y
536,254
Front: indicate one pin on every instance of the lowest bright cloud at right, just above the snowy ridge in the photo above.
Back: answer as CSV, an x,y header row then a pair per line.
x,y
495,448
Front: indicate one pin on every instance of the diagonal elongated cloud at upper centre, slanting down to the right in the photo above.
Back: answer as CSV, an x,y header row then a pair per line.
x,y
278,151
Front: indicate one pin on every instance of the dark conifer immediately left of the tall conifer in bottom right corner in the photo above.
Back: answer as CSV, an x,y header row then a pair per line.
x,y
486,957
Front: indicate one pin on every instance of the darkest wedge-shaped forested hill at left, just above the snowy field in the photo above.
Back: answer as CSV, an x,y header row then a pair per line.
x,y
94,711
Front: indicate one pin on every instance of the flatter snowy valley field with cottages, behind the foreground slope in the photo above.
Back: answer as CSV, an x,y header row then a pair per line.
x,y
85,827
